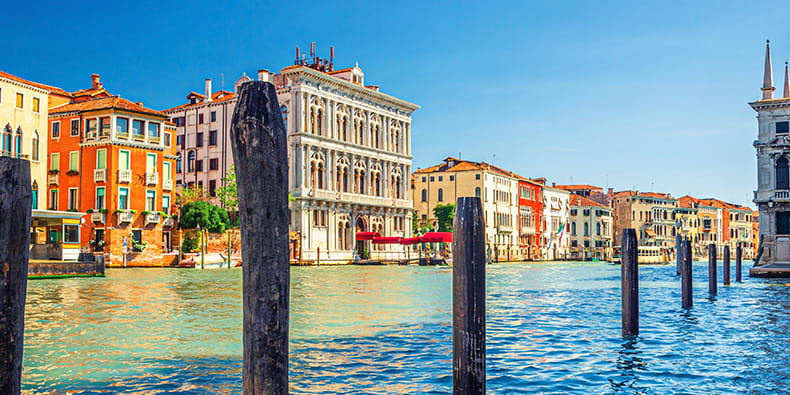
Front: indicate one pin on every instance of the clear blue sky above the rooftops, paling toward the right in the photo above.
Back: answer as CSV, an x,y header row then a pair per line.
x,y
651,96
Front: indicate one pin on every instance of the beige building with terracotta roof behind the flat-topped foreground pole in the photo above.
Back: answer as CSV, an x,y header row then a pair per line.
x,y
497,188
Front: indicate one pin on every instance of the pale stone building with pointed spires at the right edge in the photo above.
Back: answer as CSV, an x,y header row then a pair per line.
x,y
773,176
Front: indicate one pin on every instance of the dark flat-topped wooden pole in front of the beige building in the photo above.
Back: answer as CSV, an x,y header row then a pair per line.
x,y
469,293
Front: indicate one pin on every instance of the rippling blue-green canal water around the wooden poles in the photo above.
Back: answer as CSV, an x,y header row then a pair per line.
x,y
552,328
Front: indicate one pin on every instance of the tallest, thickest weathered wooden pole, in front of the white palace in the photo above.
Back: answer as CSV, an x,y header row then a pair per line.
x,y
258,138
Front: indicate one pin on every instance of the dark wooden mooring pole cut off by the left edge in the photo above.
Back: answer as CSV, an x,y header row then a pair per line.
x,y
15,211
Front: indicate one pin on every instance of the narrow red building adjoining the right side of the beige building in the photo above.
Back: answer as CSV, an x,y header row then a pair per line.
x,y
530,208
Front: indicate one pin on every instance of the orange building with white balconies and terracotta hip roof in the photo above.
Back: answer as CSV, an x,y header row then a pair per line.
x,y
113,159
